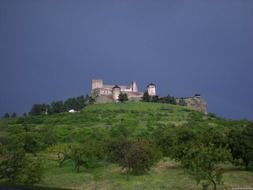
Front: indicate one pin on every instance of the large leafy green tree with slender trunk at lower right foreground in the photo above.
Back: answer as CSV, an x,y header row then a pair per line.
x,y
201,154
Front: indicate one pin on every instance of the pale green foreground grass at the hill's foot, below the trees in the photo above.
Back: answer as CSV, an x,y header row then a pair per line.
x,y
165,175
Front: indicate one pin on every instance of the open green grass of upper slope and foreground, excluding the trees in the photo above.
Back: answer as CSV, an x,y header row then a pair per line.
x,y
140,118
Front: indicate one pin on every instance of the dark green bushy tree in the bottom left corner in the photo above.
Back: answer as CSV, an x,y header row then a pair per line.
x,y
17,167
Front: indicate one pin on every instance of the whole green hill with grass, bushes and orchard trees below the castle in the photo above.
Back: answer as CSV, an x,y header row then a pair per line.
x,y
127,146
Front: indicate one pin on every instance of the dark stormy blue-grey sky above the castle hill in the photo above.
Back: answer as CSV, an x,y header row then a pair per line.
x,y
52,49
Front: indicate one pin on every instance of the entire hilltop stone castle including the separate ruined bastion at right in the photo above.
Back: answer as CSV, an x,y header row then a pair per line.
x,y
103,93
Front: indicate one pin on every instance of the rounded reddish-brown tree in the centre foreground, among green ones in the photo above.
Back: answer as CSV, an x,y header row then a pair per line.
x,y
136,156
